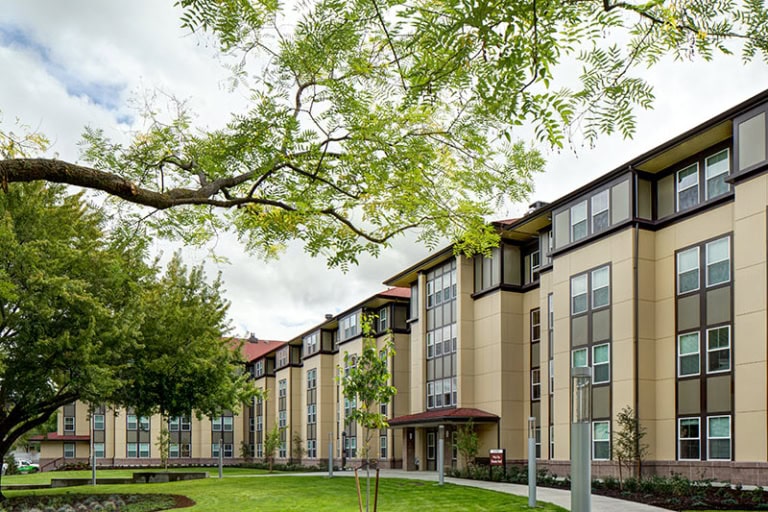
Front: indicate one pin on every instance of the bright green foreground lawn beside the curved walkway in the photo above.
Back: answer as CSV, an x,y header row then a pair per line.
x,y
316,493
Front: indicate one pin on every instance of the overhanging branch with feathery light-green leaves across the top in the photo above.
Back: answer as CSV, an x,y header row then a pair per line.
x,y
372,117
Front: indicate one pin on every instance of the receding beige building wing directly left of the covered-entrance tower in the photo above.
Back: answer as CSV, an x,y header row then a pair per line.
x,y
305,394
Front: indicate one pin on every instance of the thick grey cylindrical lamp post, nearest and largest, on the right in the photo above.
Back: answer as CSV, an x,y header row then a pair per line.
x,y
581,469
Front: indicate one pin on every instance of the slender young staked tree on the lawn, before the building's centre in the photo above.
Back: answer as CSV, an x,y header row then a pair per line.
x,y
367,384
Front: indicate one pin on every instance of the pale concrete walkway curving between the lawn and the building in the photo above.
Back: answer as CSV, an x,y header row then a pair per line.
x,y
559,497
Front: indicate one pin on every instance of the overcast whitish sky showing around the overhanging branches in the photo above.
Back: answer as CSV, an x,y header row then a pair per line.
x,y
69,64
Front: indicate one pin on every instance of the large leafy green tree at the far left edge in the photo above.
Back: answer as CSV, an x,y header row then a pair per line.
x,y
75,309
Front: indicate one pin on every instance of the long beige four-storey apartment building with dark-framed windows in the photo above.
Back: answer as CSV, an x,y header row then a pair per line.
x,y
653,275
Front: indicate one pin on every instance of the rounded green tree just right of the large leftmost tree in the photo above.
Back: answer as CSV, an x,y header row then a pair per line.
x,y
181,363
